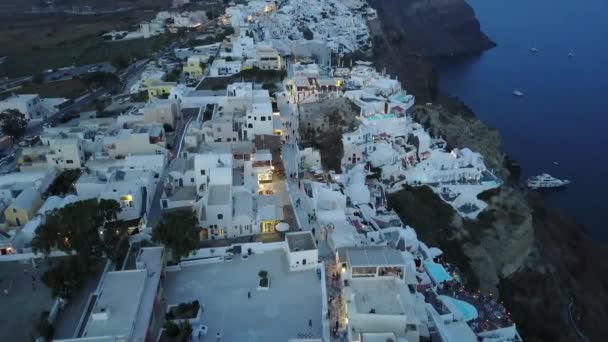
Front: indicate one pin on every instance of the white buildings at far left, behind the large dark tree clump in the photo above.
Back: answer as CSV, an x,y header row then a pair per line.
x,y
119,158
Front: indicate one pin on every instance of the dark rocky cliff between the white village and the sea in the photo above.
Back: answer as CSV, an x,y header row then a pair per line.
x,y
550,275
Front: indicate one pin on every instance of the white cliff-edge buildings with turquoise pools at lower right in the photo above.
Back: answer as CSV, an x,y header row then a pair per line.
x,y
391,284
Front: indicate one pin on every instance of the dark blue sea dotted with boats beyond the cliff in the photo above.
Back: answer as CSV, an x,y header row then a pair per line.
x,y
563,116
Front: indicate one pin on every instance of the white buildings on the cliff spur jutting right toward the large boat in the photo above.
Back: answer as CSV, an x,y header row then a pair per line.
x,y
388,139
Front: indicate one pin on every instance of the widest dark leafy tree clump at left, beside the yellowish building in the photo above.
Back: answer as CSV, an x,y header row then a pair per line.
x,y
76,228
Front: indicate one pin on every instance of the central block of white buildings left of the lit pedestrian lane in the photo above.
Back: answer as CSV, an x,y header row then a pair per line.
x,y
220,170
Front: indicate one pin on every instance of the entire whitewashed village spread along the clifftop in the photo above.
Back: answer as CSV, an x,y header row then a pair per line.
x,y
242,156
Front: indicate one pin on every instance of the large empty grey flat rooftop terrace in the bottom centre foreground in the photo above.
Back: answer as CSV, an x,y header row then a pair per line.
x,y
281,313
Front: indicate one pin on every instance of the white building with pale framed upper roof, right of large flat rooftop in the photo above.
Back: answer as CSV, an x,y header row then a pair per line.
x,y
377,298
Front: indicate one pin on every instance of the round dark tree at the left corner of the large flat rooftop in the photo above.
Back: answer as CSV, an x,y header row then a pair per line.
x,y
178,232
